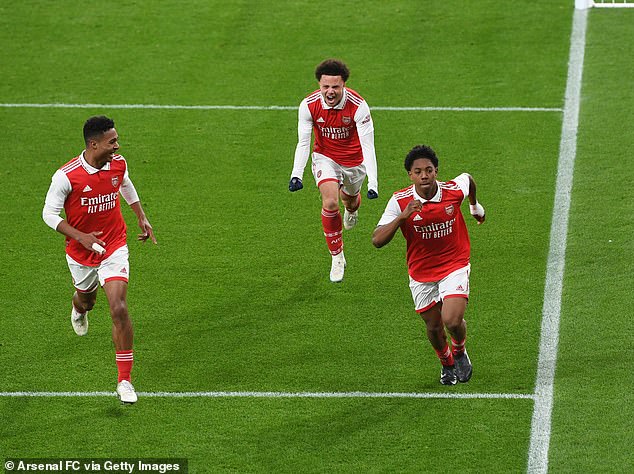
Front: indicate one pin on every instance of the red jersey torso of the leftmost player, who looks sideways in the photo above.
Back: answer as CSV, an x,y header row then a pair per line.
x,y
93,205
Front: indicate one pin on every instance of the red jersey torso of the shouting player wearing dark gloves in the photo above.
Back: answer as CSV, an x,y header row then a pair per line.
x,y
335,128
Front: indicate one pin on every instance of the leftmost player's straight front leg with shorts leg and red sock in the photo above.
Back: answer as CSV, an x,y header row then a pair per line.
x,y
113,275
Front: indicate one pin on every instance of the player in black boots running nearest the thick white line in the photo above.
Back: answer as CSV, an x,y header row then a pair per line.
x,y
438,251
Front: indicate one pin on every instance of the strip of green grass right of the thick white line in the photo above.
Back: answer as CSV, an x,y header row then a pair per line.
x,y
593,398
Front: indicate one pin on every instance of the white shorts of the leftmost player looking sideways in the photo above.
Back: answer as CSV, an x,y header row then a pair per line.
x,y
115,267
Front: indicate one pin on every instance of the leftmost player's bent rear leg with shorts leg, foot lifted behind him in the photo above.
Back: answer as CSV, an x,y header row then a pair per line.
x,y
86,282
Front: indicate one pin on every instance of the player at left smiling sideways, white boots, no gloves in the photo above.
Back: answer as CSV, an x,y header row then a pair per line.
x,y
87,189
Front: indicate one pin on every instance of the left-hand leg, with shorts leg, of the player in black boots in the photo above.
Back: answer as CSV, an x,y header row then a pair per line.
x,y
428,304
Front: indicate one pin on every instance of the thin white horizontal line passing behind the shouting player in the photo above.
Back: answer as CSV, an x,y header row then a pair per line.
x,y
270,107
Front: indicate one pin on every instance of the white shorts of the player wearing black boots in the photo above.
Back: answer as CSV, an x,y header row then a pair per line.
x,y
428,294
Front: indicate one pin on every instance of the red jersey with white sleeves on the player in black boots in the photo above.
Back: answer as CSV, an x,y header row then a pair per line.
x,y
437,236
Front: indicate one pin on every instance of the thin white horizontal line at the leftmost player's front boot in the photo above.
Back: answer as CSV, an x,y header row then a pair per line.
x,y
443,395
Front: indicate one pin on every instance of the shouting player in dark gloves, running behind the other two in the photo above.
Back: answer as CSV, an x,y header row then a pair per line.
x,y
343,154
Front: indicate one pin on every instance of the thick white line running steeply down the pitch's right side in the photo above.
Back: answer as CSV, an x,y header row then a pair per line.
x,y
551,311
